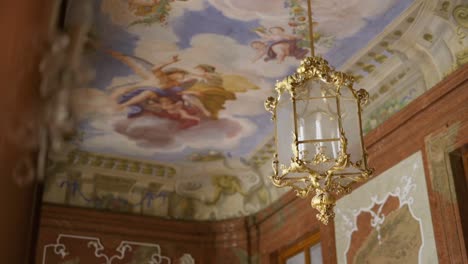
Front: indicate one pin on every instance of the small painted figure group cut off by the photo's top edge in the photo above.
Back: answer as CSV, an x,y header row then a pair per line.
x,y
150,11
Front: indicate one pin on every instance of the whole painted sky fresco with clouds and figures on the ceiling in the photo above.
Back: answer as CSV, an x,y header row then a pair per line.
x,y
178,78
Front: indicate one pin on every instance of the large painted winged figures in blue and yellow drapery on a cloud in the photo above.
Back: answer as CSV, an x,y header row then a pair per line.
x,y
174,93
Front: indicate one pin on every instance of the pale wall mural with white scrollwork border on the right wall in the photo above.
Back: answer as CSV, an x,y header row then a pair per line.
x,y
387,220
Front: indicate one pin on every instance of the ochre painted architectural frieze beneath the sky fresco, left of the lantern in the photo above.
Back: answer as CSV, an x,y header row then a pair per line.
x,y
112,183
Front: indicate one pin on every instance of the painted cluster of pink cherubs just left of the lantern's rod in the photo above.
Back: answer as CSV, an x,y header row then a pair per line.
x,y
276,44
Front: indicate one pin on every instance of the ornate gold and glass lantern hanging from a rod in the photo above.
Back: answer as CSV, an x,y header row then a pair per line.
x,y
318,132
